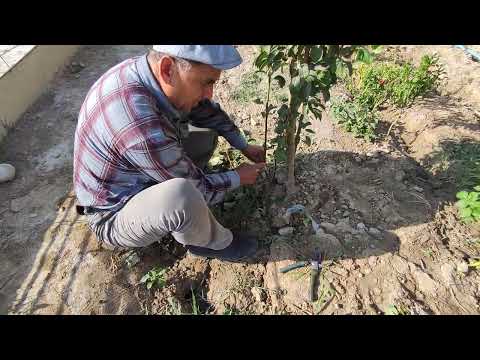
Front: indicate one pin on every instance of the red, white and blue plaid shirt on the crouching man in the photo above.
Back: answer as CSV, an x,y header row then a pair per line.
x,y
129,137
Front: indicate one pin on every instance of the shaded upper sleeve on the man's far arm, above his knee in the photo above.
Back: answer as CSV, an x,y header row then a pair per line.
x,y
208,114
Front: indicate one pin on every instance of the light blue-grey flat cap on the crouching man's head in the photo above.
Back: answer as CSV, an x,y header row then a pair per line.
x,y
222,57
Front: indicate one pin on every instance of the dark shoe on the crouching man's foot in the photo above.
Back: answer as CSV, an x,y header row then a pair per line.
x,y
242,247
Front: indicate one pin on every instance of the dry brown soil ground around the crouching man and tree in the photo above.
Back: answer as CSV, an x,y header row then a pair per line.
x,y
390,231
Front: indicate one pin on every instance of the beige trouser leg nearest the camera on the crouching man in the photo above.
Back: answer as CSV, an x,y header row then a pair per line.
x,y
175,206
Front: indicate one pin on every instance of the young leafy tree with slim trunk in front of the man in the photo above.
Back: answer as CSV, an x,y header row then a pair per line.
x,y
309,71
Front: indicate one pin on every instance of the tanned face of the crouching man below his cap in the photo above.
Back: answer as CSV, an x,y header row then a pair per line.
x,y
193,85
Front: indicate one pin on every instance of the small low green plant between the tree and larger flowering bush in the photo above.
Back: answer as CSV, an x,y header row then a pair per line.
x,y
355,118
